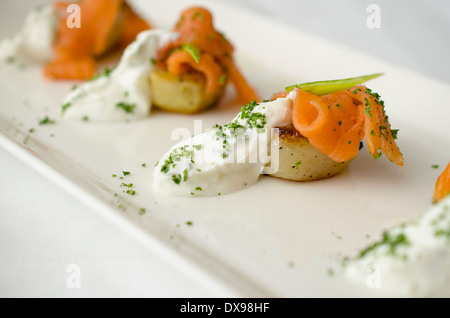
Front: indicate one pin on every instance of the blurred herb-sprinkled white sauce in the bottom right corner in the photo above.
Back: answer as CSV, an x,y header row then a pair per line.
x,y
411,260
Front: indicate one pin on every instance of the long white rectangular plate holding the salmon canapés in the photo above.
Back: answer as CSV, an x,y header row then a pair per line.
x,y
277,238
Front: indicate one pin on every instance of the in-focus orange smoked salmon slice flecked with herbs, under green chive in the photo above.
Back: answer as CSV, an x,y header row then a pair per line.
x,y
335,123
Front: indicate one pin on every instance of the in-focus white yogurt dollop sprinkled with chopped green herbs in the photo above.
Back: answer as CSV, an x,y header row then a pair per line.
x,y
225,158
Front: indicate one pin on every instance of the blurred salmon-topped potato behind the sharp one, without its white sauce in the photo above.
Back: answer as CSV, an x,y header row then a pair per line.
x,y
191,72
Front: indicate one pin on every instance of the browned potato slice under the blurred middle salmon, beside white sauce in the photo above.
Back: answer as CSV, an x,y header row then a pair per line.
x,y
182,94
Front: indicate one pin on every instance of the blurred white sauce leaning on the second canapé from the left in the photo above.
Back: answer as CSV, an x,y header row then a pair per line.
x,y
124,93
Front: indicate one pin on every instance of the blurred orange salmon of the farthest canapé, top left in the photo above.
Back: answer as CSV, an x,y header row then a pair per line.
x,y
104,25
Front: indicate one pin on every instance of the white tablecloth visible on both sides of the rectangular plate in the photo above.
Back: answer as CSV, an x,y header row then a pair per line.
x,y
43,230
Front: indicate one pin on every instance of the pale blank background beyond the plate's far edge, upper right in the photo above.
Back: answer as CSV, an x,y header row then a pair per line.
x,y
412,33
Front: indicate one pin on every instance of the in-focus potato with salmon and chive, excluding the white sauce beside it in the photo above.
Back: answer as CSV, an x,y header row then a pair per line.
x,y
328,125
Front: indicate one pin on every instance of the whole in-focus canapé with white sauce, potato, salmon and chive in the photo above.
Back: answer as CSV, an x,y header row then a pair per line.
x,y
320,126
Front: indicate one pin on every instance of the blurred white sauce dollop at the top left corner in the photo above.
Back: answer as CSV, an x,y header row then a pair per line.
x,y
34,43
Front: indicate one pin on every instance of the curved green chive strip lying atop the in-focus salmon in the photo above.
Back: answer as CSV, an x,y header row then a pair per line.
x,y
328,87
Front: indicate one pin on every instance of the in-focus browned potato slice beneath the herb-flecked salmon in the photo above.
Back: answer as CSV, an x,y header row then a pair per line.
x,y
301,161
